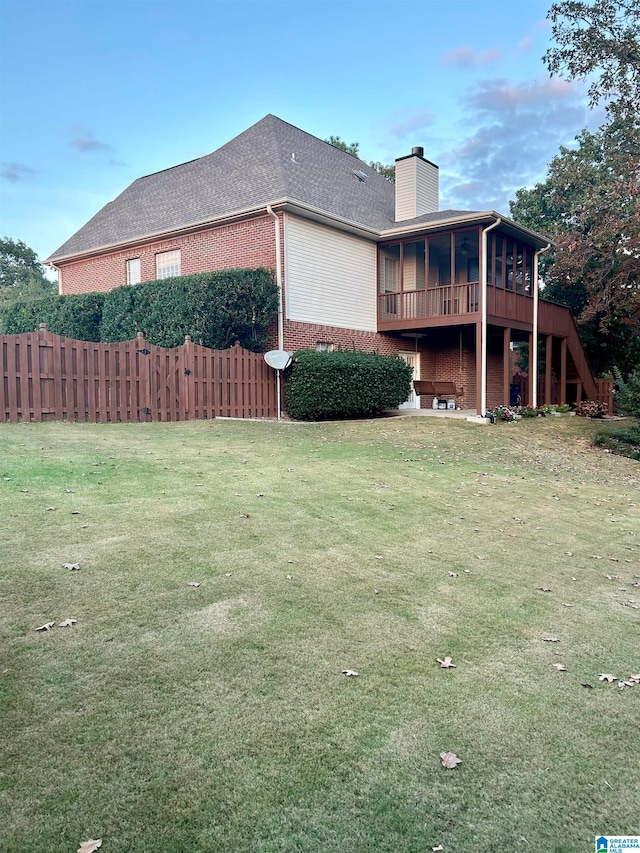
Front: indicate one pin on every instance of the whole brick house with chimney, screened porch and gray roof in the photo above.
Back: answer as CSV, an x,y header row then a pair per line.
x,y
360,262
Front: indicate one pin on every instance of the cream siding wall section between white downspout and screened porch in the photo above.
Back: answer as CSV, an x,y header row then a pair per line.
x,y
330,276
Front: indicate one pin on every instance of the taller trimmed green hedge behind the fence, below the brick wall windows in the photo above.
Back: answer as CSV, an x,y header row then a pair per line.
x,y
215,308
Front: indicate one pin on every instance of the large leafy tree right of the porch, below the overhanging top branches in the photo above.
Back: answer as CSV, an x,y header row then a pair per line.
x,y
589,206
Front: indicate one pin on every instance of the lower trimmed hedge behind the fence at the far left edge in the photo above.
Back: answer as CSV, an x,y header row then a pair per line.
x,y
76,316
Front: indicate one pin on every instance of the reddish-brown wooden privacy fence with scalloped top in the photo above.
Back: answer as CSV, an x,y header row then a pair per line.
x,y
47,377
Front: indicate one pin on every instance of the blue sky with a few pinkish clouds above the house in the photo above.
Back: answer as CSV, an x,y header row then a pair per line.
x,y
96,93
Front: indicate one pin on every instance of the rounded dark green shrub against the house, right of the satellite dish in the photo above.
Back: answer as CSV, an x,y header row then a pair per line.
x,y
344,384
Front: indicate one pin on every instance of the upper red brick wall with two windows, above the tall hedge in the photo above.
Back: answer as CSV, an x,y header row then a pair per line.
x,y
250,243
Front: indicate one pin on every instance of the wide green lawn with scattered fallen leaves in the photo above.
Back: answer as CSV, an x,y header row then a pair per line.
x,y
174,718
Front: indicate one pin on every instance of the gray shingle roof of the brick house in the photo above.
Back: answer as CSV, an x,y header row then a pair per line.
x,y
270,161
